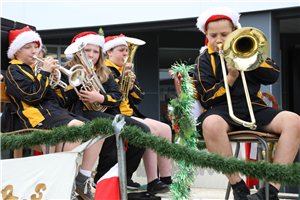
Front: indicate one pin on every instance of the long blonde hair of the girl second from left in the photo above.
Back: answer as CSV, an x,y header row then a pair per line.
x,y
101,70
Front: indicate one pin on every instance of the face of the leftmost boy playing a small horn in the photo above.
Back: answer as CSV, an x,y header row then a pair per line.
x,y
26,53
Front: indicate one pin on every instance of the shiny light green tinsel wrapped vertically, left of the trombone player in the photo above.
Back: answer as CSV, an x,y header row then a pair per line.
x,y
184,124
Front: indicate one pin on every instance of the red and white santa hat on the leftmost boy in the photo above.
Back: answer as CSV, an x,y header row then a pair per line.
x,y
18,38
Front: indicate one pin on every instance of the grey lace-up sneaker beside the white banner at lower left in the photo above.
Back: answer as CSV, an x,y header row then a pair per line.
x,y
83,186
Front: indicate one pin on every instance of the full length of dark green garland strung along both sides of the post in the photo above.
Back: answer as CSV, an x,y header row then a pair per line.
x,y
287,175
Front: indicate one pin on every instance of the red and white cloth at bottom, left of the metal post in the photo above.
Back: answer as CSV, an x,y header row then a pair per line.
x,y
108,186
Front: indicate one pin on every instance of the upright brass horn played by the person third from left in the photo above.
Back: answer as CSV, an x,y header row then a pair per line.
x,y
125,83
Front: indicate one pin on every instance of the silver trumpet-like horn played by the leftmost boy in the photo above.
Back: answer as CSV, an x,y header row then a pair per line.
x,y
75,75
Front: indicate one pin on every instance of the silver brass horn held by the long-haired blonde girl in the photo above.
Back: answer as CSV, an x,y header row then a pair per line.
x,y
91,79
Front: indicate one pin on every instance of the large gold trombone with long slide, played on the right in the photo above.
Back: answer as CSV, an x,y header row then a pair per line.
x,y
244,49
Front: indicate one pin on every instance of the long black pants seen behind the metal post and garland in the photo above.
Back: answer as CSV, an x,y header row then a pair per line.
x,y
108,156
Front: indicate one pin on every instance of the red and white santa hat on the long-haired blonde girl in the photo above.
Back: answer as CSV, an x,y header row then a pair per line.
x,y
90,38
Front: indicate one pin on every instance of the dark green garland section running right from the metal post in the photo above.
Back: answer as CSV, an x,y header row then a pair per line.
x,y
285,174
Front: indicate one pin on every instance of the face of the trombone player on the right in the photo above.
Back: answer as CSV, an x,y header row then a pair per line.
x,y
217,32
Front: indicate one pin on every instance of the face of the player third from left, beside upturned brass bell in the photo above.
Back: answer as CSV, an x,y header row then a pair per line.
x,y
118,54
